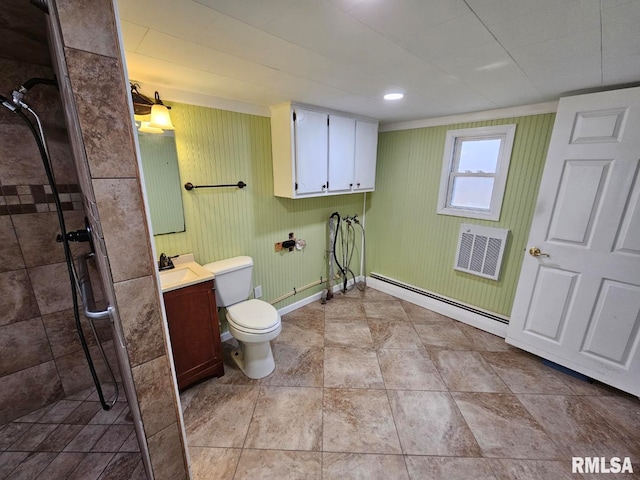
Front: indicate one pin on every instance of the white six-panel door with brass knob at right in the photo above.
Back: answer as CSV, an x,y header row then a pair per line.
x,y
578,302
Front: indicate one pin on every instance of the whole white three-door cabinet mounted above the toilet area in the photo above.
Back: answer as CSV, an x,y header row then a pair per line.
x,y
319,152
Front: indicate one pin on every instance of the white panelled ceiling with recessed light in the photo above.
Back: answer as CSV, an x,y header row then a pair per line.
x,y
447,56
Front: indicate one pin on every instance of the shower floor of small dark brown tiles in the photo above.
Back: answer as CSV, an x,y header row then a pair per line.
x,y
73,439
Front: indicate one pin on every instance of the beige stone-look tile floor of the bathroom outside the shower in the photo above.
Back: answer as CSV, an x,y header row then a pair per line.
x,y
371,387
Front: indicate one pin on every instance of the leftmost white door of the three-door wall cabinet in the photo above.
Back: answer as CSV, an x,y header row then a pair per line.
x,y
311,141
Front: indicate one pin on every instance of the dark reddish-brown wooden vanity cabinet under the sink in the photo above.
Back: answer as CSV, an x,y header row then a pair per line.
x,y
194,332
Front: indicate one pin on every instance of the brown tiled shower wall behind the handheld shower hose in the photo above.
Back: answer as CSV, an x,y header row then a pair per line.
x,y
41,356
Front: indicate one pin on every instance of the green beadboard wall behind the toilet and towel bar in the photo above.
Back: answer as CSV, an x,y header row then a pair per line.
x,y
217,146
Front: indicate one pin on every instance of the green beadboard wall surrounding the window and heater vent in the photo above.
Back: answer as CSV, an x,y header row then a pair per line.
x,y
408,241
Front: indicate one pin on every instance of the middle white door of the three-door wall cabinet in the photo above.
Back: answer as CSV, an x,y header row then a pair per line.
x,y
342,147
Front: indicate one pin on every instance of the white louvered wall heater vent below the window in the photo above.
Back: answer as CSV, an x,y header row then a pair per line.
x,y
480,250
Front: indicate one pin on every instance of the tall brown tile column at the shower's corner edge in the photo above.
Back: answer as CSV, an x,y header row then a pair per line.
x,y
95,91
